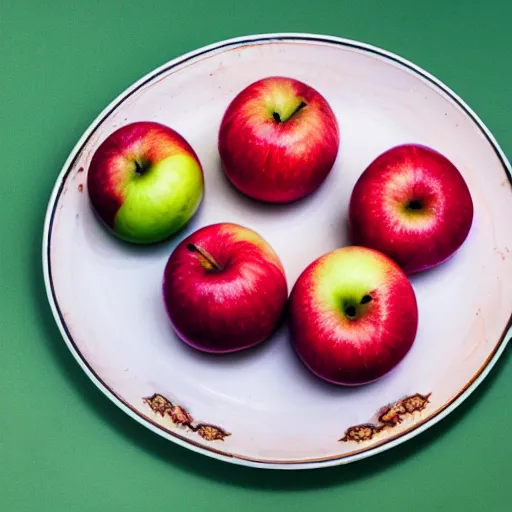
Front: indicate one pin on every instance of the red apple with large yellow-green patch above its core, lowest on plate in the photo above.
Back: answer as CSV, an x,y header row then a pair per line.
x,y
358,346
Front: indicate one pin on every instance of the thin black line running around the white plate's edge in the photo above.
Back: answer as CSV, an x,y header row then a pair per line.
x,y
195,55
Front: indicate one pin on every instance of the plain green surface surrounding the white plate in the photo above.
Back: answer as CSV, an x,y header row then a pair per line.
x,y
63,445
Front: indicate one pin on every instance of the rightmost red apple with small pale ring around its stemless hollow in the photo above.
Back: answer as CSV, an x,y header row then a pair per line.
x,y
412,204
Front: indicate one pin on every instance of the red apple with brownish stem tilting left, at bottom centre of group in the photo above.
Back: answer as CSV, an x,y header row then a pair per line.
x,y
224,288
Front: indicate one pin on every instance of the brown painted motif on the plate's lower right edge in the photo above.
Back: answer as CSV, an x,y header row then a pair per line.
x,y
389,417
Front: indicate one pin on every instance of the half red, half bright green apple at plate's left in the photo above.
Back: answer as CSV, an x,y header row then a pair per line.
x,y
145,182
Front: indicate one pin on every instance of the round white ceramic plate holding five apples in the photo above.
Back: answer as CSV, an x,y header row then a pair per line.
x,y
261,407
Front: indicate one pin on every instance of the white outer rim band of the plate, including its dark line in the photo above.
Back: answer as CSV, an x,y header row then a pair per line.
x,y
335,460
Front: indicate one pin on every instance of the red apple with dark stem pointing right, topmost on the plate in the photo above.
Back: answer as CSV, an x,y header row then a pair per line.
x,y
278,140
